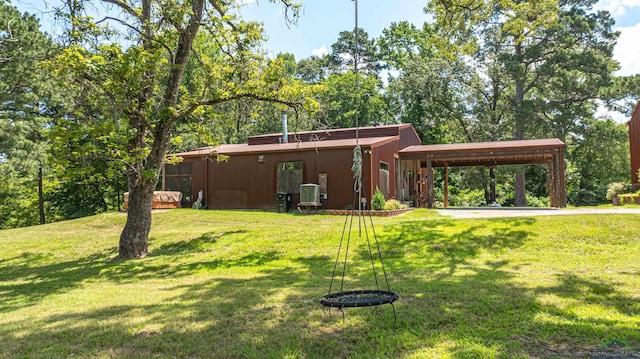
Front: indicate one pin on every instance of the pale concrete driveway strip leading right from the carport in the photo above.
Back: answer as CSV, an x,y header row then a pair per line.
x,y
484,212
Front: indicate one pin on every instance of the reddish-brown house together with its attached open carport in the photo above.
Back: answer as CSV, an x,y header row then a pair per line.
x,y
253,174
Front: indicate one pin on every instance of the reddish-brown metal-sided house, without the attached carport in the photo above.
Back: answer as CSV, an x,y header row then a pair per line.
x,y
253,173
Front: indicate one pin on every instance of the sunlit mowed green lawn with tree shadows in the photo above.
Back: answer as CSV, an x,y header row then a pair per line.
x,y
241,284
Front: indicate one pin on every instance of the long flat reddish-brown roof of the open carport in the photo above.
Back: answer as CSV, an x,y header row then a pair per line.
x,y
485,153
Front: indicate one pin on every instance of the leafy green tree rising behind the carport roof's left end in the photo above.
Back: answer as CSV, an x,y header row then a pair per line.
x,y
429,88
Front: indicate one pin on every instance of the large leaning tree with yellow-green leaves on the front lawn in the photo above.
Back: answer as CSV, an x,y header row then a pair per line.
x,y
141,88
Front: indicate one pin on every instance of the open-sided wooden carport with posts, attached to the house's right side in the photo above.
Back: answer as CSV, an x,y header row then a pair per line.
x,y
499,153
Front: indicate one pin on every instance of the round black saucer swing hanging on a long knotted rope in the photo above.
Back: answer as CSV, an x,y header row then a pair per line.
x,y
363,297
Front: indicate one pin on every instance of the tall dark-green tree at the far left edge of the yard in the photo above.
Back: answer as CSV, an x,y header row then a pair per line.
x,y
24,109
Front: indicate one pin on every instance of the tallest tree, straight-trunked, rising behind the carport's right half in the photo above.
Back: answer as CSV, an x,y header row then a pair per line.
x,y
555,56
